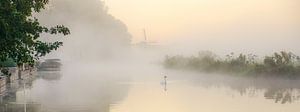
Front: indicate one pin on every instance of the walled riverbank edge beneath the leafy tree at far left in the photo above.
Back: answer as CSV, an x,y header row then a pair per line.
x,y
17,80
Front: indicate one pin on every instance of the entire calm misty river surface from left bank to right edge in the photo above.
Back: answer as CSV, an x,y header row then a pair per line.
x,y
91,89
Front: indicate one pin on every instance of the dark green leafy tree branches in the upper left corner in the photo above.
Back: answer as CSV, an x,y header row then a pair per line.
x,y
20,32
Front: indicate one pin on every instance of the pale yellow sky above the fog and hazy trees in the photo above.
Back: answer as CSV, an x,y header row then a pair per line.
x,y
165,19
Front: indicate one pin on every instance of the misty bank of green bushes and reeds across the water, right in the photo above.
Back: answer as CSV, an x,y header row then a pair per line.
x,y
281,64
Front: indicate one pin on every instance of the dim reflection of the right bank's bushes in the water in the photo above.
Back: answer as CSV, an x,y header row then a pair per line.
x,y
279,90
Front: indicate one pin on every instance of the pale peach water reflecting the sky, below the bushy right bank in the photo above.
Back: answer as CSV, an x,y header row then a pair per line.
x,y
211,93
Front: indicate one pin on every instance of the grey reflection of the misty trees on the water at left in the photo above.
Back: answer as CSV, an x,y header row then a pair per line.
x,y
64,91
